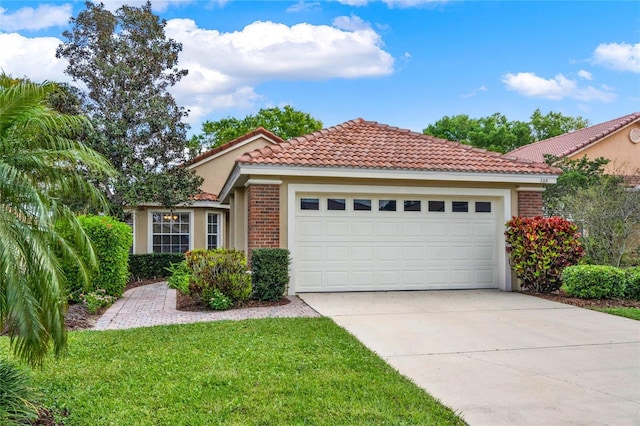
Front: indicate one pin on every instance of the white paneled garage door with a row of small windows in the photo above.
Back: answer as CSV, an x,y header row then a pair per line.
x,y
385,242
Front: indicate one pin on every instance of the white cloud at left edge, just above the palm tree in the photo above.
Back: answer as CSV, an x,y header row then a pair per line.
x,y
34,58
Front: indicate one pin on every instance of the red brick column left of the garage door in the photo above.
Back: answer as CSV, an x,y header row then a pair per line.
x,y
263,216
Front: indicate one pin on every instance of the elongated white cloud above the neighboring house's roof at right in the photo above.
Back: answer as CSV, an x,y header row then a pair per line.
x,y
559,87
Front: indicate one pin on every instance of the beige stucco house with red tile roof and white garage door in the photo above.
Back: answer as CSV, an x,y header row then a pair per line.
x,y
361,206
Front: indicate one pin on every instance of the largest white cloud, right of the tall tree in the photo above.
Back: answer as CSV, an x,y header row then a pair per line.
x,y
224,68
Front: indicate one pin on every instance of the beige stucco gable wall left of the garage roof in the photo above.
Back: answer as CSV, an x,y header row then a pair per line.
x,y
216,169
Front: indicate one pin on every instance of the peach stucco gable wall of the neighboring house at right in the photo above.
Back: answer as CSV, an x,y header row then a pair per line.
x,y
623,153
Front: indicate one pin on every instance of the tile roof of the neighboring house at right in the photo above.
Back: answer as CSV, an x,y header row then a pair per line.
x,y
567,144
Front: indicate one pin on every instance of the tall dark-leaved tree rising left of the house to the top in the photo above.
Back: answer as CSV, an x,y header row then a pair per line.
x,y
127,64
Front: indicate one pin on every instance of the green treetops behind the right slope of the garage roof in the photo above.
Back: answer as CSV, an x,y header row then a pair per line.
x,y
497,133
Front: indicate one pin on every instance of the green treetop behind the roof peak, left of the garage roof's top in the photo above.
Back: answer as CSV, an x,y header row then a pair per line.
x,y
287,123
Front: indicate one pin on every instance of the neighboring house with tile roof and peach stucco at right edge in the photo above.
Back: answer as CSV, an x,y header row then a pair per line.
x,y
617,140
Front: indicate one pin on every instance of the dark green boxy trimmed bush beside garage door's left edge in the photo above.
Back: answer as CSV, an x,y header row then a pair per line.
x,y
270,276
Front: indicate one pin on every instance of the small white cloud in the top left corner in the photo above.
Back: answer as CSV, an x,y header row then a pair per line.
x,y
28,18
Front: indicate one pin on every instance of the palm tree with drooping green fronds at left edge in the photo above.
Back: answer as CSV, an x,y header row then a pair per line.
x,y
40,158
